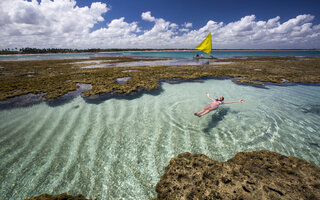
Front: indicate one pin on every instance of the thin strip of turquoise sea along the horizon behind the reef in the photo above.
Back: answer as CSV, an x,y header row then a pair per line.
x,y
168,54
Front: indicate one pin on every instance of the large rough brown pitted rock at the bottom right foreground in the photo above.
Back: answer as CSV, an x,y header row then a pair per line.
x,y
252,175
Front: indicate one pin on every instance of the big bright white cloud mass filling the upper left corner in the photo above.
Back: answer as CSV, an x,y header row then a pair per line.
x,y
44,21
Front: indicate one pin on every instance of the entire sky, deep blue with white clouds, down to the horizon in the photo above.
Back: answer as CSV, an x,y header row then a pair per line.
x,y
158,24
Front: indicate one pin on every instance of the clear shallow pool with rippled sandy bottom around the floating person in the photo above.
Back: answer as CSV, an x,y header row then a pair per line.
x,y
118,148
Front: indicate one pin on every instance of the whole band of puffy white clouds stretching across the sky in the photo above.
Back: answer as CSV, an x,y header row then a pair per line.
x,y
63,24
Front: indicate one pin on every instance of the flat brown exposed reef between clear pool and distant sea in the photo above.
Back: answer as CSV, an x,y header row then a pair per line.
x,y
54,78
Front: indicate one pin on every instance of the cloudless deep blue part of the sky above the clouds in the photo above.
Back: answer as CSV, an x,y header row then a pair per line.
x,y
200,11
